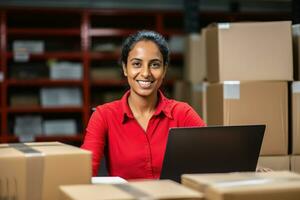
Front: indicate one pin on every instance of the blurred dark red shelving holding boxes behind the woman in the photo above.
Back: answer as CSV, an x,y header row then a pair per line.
x,y
87,35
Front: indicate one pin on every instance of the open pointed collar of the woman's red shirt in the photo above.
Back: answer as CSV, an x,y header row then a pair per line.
x,y
163,107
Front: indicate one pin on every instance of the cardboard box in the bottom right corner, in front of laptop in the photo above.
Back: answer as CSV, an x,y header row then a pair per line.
x,y
245,186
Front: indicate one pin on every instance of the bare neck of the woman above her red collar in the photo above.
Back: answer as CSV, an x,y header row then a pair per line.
x,y
140,105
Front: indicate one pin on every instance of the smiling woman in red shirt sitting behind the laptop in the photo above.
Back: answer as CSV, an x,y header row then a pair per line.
x,y
132,132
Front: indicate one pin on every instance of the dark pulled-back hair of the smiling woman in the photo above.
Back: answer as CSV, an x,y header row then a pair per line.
x,y
146,35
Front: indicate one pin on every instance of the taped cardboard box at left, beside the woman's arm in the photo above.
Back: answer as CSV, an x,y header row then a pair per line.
x,y
34,171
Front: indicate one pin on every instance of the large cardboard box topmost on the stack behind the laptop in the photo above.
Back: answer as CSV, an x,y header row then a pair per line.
x,y
249,51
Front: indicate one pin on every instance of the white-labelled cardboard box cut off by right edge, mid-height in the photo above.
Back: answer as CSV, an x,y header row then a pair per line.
x,y
295,117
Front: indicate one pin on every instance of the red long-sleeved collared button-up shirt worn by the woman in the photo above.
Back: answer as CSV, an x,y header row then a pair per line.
x,y
132,152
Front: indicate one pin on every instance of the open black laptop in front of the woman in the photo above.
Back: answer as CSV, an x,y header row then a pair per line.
x,y
212,150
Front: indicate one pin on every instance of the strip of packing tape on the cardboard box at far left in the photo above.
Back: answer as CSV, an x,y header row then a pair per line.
x,y
34,170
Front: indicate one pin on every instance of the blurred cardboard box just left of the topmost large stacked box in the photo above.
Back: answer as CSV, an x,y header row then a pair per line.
x,y
195,58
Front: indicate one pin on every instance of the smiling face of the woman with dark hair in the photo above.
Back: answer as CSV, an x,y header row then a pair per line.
x,y
145,70
